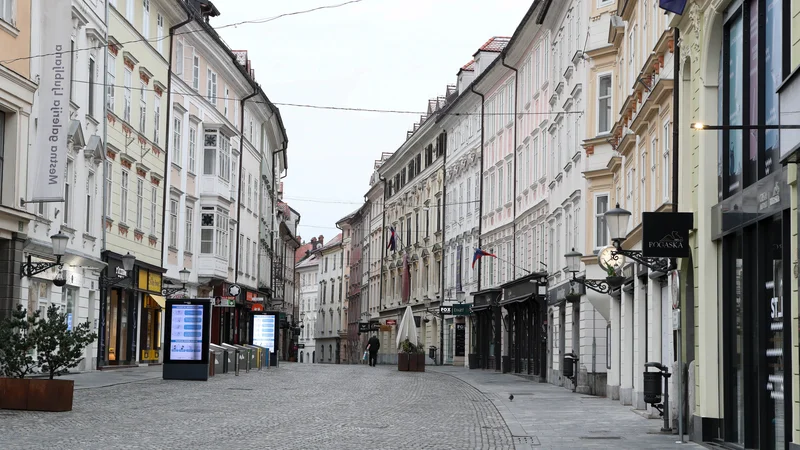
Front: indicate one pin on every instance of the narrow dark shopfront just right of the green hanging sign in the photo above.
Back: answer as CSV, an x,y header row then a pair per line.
x,y
486,337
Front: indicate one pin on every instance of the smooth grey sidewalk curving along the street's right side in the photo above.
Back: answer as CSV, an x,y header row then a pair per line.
x,y
546,416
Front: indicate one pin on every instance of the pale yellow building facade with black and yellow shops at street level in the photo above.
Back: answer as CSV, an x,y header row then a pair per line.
x,y
134,185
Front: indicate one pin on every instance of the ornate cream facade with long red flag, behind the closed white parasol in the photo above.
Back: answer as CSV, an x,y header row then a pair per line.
x,y
414,205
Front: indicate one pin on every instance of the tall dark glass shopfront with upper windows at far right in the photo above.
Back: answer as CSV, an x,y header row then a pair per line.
x,y
752,224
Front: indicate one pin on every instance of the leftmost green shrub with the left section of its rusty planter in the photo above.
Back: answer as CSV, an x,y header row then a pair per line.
x,y
16,357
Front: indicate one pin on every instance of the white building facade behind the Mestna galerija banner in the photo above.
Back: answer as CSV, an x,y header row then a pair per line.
x,y
79,216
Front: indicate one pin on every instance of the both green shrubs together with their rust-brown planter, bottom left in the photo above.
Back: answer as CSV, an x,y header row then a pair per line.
x,y
58,349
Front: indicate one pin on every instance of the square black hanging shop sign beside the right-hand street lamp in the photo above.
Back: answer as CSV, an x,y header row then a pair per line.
x,y
666,234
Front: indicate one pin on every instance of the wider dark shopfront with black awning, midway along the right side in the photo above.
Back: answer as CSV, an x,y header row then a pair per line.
x,y
524,323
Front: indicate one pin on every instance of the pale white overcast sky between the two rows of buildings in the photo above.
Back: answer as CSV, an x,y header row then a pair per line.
x,y
381,54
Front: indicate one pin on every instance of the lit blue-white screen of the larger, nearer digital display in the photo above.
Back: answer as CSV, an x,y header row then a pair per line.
x,y
186,333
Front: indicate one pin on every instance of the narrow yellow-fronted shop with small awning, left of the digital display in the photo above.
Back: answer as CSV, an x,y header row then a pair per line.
x,y
151,323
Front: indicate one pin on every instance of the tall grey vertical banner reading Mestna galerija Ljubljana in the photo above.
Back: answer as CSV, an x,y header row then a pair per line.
x,y
49,152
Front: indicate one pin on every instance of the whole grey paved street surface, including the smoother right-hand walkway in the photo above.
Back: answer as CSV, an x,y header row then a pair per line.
x,y
321,407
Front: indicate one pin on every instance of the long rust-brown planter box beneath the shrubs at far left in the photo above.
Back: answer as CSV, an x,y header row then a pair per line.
x,y
36,394
